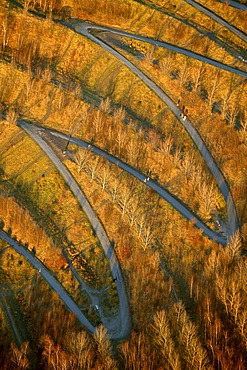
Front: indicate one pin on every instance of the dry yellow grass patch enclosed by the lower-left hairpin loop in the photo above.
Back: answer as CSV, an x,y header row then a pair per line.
x,y
51,204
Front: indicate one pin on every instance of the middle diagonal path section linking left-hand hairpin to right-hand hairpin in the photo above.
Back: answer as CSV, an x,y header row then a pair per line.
x,y
164,193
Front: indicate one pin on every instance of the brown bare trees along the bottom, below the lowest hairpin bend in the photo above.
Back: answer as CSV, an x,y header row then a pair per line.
x,y
178,333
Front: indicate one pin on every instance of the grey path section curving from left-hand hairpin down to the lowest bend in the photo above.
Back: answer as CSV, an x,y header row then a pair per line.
x,y
119,326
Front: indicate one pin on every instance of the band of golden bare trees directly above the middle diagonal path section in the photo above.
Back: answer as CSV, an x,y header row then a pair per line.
x,y
135,149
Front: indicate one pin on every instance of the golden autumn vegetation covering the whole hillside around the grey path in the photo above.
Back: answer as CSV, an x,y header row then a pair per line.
x,y
187,294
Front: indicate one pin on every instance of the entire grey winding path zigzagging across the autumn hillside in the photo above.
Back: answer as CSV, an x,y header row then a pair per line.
x,y
119,327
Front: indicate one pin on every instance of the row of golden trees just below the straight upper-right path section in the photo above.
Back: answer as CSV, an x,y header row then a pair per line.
x,y
224,94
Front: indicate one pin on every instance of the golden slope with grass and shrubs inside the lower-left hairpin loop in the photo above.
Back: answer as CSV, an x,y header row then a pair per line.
x,y
57,214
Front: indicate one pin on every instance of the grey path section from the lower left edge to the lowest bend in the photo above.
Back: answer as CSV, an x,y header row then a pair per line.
x,y
72,306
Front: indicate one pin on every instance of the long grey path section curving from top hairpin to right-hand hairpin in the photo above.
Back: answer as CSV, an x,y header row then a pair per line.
x,y
84,29
